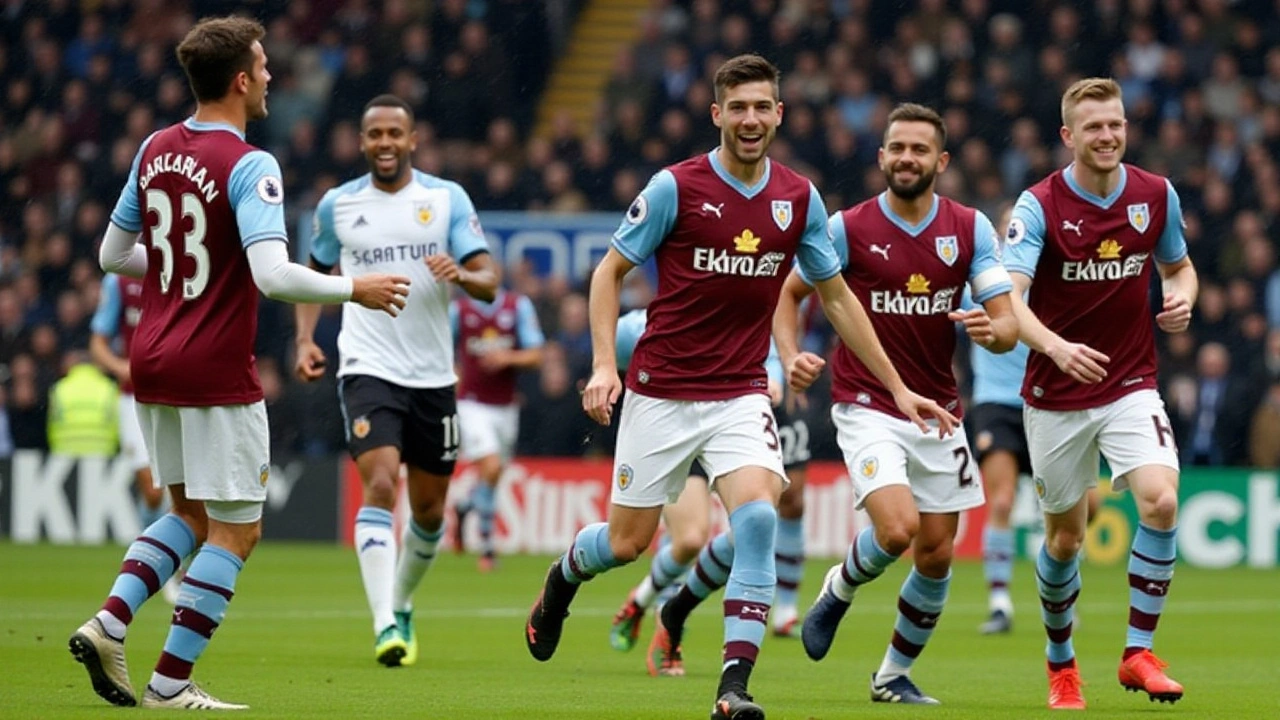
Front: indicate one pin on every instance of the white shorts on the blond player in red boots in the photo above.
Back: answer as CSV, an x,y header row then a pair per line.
x,y
1064,446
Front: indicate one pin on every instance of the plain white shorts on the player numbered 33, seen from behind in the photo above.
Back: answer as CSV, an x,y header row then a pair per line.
x,y
220,453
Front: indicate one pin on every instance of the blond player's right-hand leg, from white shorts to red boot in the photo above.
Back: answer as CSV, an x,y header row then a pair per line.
x,y
1139,445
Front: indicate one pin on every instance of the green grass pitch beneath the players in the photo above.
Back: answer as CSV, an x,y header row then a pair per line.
x,y
298,644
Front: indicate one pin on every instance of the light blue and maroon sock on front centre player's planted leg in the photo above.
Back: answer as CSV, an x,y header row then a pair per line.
x,y
752,581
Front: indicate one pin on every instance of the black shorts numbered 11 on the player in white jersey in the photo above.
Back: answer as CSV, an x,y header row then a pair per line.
x,y
422,423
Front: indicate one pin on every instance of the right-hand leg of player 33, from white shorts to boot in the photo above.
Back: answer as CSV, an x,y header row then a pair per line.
x,y
227,464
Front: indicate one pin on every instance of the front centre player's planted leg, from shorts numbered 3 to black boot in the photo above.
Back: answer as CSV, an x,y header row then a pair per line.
x,y
744,458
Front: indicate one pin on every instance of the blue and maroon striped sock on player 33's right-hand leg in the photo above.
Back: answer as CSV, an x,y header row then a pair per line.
x,y
208,589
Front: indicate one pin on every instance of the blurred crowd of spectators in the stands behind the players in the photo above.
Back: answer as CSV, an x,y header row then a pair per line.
x,y
85,83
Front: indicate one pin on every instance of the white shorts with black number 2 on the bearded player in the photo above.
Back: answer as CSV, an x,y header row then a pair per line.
x,y
881,450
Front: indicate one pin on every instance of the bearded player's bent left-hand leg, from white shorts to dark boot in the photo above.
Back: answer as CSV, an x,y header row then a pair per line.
x,y
877,470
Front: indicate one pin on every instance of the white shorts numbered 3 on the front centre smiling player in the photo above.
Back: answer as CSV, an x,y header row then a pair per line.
x,y
659,440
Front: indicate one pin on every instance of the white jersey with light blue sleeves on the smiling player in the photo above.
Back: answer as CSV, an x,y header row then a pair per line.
x,y
371,231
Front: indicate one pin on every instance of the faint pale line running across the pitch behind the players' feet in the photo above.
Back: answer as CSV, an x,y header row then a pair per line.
x,y
977,610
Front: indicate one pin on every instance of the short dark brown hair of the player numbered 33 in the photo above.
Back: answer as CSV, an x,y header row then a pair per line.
x,y
216,52
